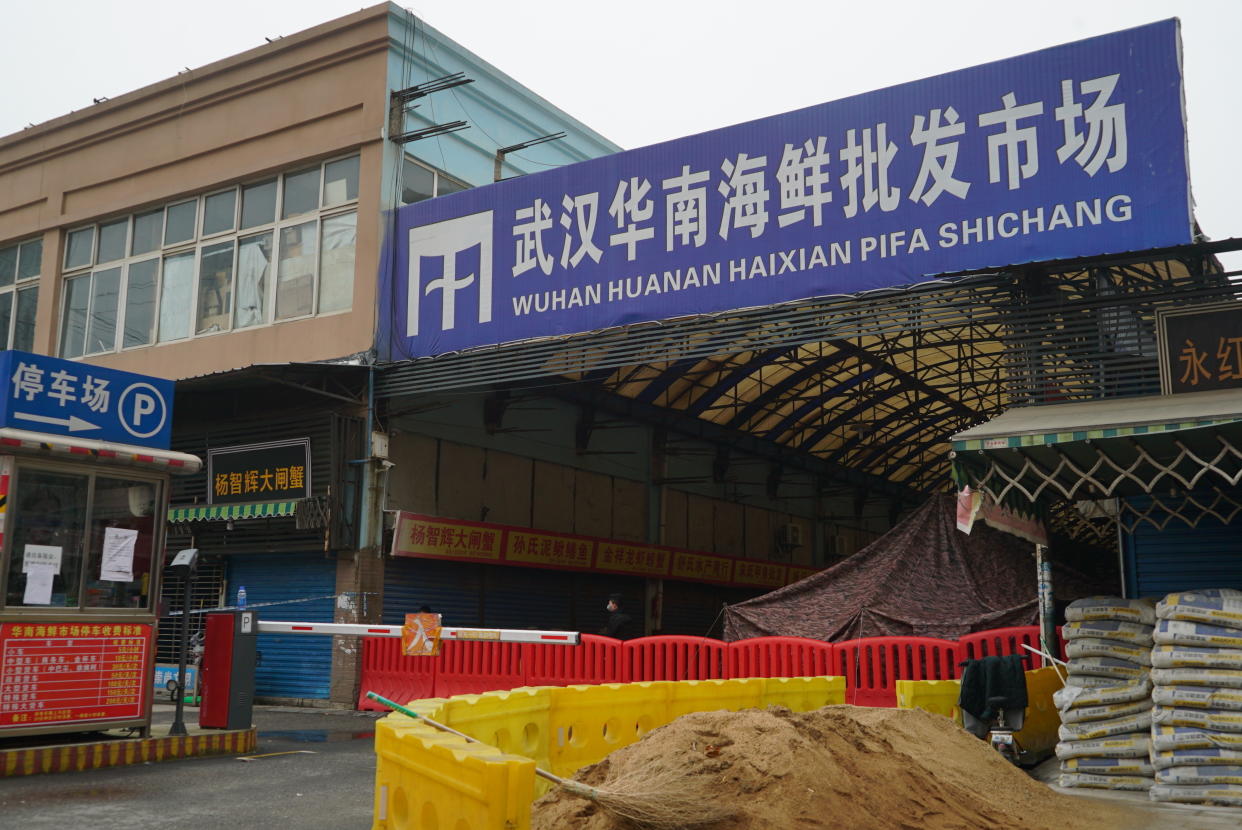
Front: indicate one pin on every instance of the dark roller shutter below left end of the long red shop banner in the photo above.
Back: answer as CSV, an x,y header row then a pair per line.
x,y
451,590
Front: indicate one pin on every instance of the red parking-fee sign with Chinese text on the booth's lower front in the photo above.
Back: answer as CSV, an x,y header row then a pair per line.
x,y
63,673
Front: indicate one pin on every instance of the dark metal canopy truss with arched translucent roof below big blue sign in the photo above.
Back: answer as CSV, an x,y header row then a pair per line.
x,y
873,383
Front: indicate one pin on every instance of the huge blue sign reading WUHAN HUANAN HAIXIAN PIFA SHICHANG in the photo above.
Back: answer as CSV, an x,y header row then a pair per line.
x,y
1071,152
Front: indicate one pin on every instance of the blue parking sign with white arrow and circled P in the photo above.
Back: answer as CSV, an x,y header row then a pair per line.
x,y
47,394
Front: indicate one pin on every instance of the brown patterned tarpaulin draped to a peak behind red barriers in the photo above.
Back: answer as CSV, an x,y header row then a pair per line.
x,y
923,578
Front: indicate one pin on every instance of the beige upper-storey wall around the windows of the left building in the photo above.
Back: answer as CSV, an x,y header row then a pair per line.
x,y
310,96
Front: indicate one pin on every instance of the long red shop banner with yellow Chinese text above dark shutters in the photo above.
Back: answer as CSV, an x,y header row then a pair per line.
x,y
439,539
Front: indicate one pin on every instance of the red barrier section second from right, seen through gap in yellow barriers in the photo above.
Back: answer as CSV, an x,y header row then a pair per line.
x,y
873,667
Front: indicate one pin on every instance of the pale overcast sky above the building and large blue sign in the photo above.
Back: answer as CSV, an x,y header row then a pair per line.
x,y
646,71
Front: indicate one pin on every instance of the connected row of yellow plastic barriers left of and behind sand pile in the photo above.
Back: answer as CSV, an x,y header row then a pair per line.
x,y
428,780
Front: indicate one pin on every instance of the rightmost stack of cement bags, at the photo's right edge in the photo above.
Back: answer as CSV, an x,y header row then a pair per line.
x,y
1197,725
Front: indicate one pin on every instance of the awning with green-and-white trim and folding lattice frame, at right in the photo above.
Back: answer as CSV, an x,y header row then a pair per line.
x,y
1094,450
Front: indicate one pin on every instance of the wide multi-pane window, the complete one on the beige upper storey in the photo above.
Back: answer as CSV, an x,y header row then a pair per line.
x,y
252,255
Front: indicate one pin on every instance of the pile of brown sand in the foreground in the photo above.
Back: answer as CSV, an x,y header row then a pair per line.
x,y
839,767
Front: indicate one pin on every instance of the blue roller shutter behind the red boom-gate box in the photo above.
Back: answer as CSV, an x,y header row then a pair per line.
x,y
289,587
